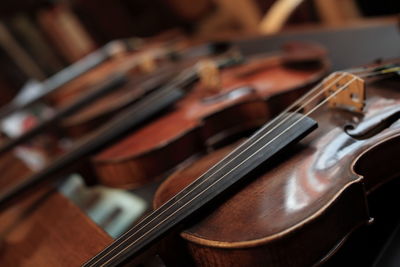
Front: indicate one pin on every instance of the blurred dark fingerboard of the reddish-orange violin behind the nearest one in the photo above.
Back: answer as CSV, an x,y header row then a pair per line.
x,y
75,157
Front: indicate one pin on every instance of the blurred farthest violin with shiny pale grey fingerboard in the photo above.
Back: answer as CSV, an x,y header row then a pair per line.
x,y
65,85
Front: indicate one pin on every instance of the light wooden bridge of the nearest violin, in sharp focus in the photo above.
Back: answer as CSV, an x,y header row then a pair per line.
x,y
345,91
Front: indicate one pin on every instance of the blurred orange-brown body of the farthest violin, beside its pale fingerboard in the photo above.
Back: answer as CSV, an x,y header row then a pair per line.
x,y
140,62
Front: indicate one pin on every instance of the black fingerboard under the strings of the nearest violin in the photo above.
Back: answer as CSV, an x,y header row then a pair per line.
x,y
263,145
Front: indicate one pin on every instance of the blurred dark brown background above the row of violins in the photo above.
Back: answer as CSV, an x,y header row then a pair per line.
x,y
39,37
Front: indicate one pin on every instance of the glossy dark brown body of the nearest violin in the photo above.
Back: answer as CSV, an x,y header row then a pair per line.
x,y
298,209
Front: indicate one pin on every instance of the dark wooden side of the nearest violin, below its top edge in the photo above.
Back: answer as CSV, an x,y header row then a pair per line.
x,y
310,244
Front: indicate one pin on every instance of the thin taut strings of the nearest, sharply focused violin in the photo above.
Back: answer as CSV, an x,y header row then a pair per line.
x,y
282,114
